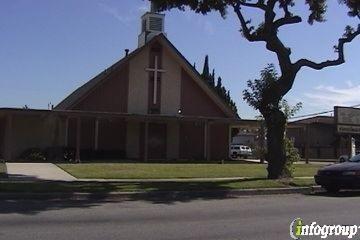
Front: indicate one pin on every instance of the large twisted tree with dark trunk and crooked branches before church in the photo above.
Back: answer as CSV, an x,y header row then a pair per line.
x,y
267,31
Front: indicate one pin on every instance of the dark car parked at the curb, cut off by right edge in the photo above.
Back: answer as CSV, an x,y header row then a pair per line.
x,y
338,176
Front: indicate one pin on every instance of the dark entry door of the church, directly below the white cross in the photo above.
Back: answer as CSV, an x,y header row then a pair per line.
x,y
157,141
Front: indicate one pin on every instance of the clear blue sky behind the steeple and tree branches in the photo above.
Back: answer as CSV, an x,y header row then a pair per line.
x,y
48,48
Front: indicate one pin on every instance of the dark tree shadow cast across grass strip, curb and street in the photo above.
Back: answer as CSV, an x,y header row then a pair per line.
x,y
61,195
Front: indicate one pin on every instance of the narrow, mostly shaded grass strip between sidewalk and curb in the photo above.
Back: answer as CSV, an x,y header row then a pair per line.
x,y
44,187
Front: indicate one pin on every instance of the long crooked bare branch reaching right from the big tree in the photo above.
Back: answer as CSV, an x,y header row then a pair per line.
x,y
340,60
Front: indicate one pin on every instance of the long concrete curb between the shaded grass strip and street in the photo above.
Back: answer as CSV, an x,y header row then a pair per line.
x,y
120,196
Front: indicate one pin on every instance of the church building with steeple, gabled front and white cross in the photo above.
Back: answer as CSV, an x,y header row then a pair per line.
x,y
152,104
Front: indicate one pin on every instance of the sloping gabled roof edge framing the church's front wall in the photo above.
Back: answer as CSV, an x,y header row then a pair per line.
x,y
74,97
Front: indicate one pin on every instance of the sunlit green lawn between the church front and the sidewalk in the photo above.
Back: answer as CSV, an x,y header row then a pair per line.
x,y
157,170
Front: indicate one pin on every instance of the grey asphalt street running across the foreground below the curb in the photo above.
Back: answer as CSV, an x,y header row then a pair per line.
x,y
250,217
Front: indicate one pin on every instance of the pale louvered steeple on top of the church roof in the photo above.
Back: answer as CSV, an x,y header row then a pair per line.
x,y
152,24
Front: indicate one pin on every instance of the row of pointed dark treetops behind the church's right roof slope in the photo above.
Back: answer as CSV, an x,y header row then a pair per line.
x,y
218,88
